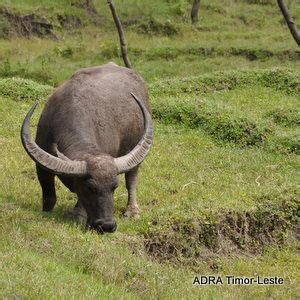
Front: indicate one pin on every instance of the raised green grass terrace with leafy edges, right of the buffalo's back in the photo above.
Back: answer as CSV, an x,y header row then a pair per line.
x,y
234,108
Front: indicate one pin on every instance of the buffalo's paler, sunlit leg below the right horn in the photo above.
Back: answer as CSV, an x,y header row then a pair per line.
x,y
132,209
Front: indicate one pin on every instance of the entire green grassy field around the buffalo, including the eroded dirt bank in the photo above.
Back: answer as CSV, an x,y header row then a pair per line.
x,y
219,191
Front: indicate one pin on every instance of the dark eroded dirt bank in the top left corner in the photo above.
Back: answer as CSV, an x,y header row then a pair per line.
x,y
13,24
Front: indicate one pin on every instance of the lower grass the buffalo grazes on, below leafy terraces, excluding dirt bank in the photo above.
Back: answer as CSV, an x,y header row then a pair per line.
x,y
199,178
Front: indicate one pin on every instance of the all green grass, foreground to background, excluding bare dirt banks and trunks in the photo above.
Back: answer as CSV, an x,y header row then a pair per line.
x,y
43,255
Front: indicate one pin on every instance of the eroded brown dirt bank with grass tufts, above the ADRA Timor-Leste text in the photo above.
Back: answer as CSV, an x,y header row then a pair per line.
x,y
226,234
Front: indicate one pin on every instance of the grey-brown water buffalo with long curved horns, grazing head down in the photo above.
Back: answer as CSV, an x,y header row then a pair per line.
x,y
92,128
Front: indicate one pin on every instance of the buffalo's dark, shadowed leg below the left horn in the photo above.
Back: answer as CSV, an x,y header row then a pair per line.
x,y
46,180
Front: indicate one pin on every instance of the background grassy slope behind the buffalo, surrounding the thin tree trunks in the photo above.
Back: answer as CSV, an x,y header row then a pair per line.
x,y
154,56
